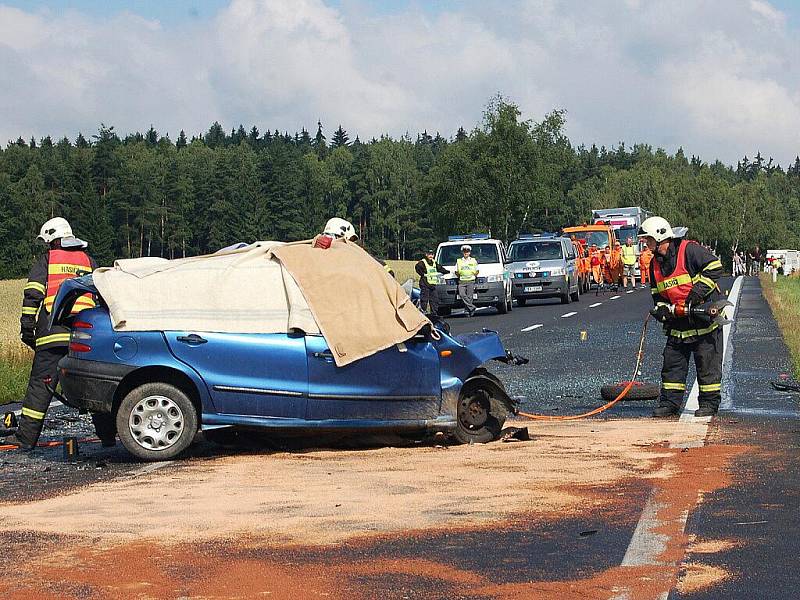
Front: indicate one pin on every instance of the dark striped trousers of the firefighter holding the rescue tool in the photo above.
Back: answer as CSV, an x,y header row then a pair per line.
x,y
707,350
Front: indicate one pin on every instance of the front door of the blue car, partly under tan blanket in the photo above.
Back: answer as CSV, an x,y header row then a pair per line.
x,y
401,382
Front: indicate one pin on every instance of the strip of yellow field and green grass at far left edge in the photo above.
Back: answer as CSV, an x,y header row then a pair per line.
x,y
15,358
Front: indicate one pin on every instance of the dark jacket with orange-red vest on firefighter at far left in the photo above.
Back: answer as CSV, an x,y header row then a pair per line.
x,y
38,295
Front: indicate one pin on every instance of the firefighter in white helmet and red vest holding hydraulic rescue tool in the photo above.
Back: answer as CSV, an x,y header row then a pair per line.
x,y
683,273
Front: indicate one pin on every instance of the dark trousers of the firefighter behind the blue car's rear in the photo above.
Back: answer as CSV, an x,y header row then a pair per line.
x,y
37,400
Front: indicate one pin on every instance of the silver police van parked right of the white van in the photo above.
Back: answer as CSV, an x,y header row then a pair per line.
x,y
543,266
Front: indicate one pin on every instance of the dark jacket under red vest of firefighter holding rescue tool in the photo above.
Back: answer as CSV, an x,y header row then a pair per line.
x,y
705,270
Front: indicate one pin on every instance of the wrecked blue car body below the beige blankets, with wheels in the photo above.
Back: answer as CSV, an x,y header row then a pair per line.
x,y
164,386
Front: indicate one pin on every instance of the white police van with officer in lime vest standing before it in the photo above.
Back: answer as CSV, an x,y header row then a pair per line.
x,y
493,283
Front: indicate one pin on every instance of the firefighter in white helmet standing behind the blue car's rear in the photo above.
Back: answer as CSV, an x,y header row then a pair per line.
x,y
64,260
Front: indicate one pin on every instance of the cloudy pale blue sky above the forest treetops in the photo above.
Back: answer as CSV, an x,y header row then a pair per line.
x,y
719,78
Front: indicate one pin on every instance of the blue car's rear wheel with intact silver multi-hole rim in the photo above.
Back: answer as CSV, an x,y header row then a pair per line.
x,y
156,421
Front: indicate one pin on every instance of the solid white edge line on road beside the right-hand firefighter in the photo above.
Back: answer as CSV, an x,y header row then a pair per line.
x,y
647,544
